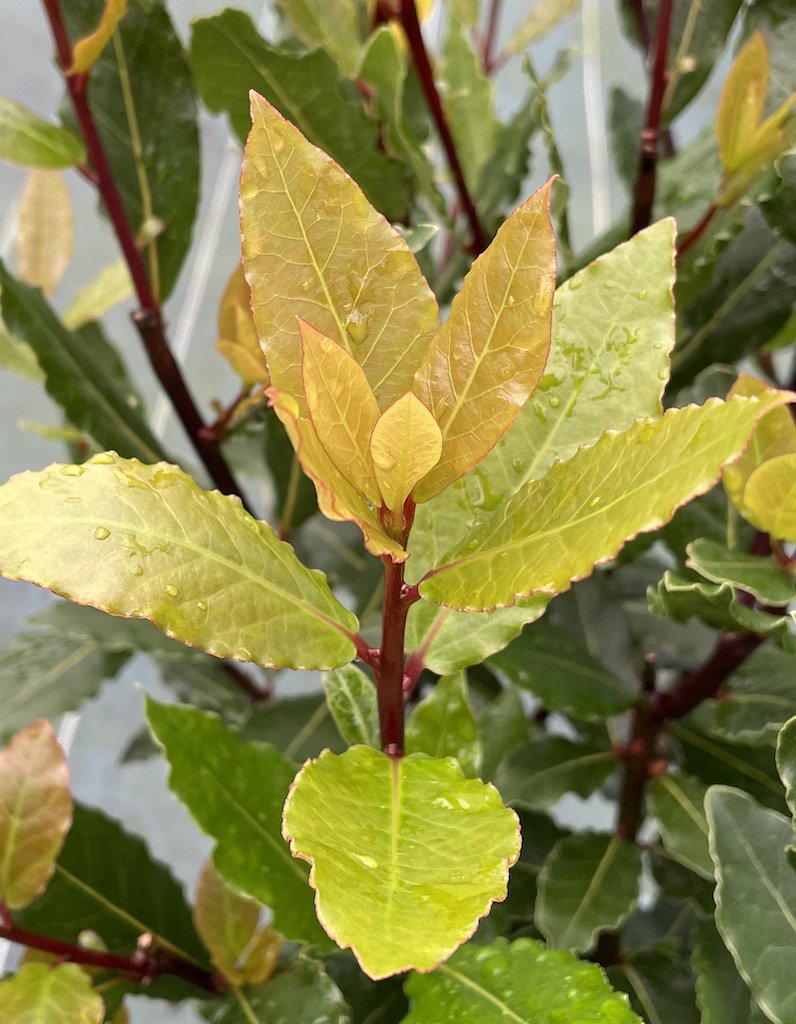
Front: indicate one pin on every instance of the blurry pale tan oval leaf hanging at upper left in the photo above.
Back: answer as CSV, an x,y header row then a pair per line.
x,y
46,235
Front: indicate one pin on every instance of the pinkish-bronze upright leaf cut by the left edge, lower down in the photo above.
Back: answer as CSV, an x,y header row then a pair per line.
x,y
35,813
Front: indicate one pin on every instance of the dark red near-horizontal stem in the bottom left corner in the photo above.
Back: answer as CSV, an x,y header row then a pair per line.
x,y
142,966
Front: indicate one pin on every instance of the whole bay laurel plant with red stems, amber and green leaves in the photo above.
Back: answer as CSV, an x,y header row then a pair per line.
x,y
538,547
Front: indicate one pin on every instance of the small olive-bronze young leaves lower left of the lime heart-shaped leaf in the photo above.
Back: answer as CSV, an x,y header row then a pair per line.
x,y
230,926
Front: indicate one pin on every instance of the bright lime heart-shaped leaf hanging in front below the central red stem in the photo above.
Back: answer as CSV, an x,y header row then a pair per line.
x,y
352,818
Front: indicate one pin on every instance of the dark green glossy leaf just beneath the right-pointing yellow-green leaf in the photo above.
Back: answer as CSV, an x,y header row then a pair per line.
x,y
563,675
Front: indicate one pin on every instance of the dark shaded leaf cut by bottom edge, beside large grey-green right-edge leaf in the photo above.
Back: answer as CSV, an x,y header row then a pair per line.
x,y
722,995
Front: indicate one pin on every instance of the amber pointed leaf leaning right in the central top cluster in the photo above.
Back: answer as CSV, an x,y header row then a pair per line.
x,y
487,359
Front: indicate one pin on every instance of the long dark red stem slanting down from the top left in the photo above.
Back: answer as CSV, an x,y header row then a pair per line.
x,y
149,319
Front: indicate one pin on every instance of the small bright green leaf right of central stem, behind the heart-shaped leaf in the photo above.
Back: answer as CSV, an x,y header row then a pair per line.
x,y
443,726
